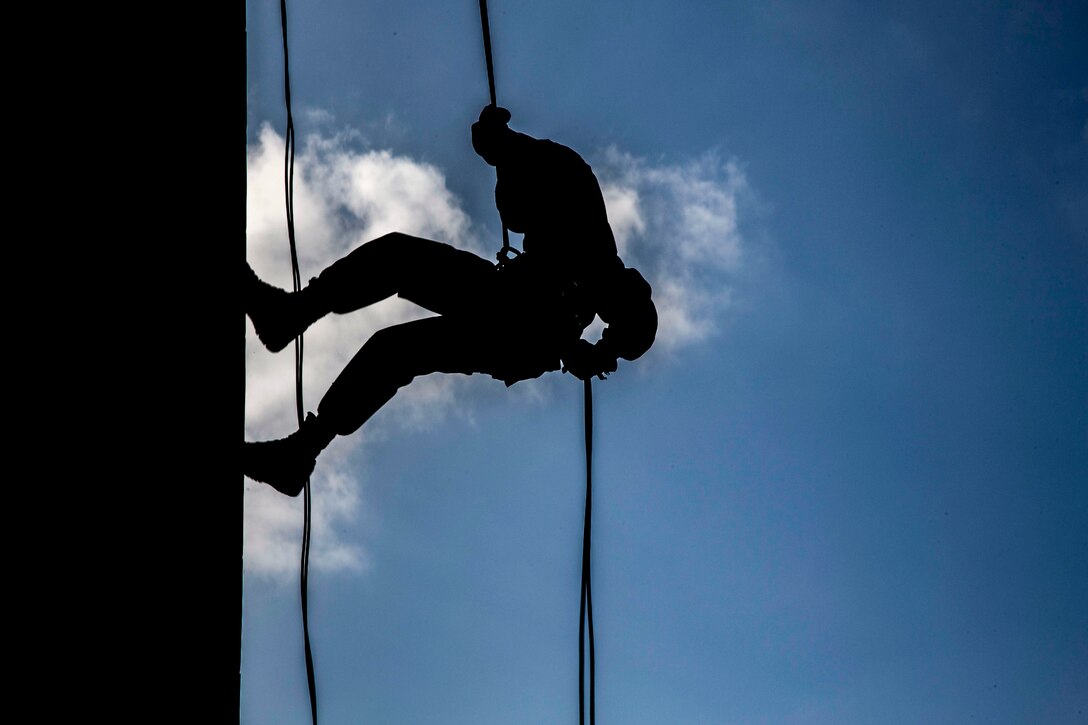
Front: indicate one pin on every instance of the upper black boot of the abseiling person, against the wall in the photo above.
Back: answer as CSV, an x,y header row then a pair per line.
x,y
280,316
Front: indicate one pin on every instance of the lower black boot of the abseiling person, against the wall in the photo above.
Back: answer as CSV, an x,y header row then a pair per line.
x,y
287,463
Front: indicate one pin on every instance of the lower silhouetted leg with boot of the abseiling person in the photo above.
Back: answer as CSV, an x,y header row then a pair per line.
x,y
391,360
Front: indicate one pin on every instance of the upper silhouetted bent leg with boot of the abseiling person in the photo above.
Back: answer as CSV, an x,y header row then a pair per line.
x,y
436,276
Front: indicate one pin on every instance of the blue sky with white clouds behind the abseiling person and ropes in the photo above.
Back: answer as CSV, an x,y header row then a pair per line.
x,y
848,486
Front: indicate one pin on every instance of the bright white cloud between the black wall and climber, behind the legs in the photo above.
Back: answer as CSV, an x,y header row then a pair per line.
x,y
342,199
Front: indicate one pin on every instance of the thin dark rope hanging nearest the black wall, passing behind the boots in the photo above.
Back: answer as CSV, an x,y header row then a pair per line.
x,y
298,285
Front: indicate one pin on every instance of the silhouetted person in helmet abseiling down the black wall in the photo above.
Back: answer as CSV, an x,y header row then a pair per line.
x,y
514,322
